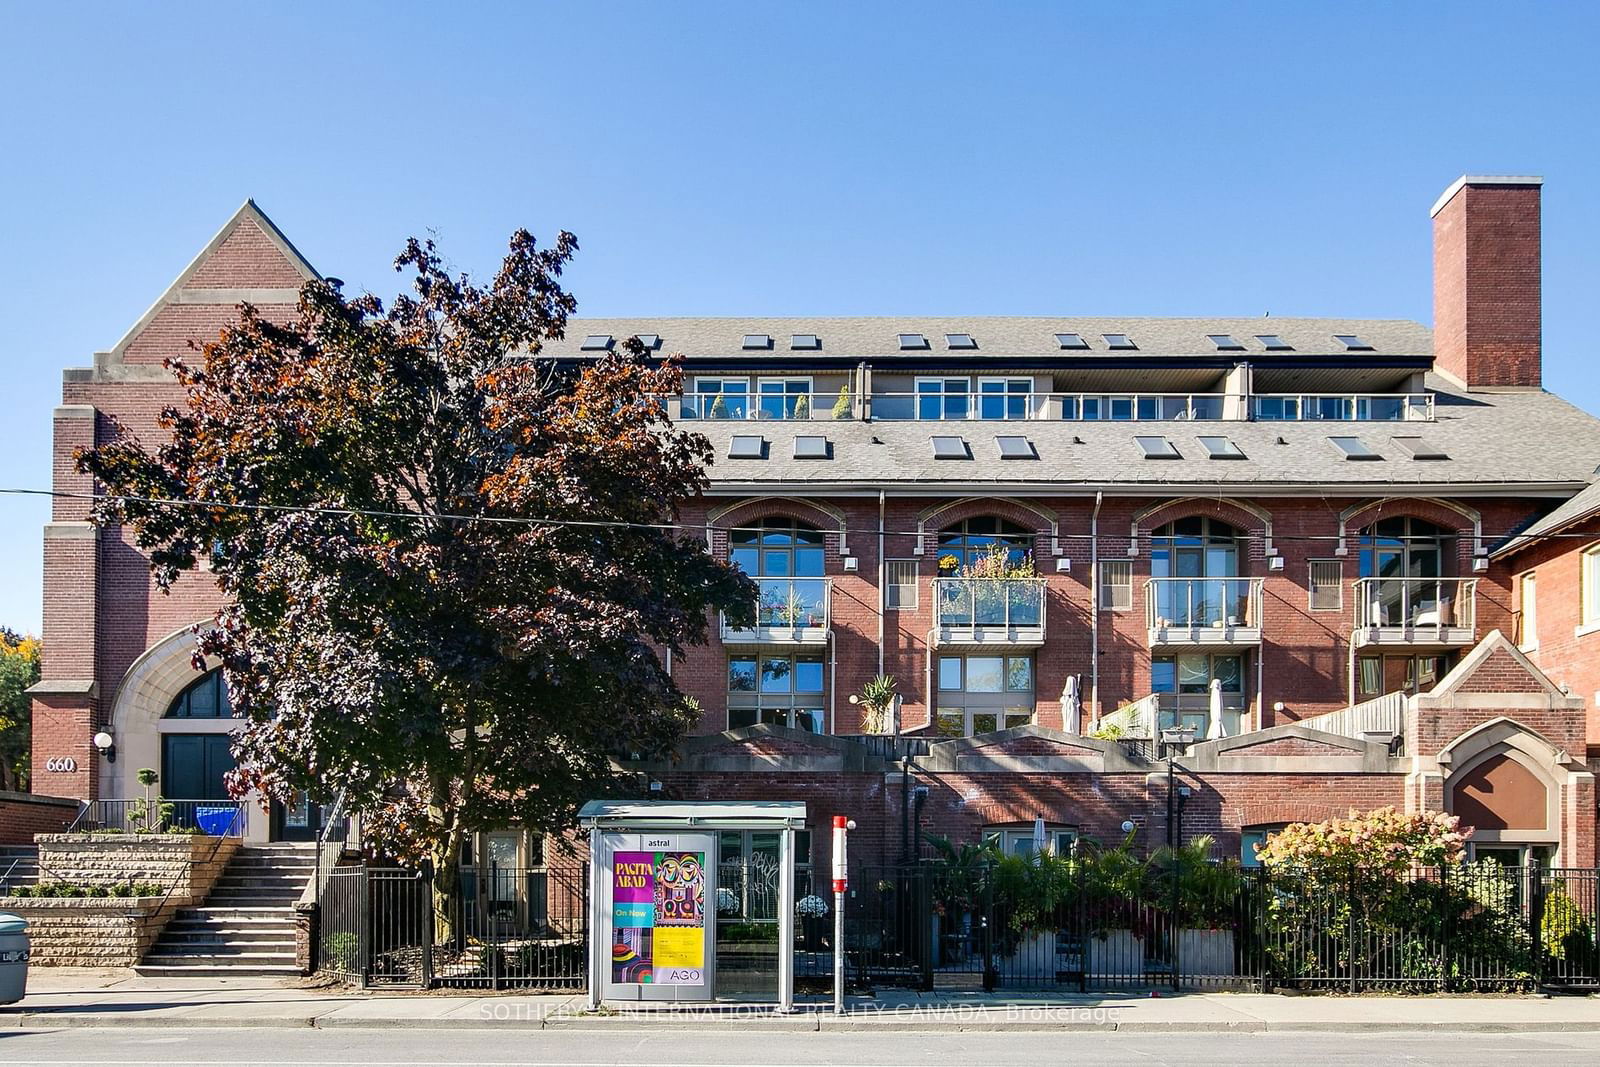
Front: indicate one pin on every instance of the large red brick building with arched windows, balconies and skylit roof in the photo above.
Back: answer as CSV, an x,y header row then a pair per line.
x,y
1281,533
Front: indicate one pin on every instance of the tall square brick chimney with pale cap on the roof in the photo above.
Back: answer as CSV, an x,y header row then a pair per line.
x,y
1487,282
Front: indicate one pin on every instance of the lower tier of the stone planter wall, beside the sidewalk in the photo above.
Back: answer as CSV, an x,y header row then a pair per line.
x,y
90,932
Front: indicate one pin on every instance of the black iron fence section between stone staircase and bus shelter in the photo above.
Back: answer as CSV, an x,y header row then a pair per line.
x,y
503,929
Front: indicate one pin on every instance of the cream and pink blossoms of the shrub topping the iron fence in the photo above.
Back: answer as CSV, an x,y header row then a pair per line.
x,y
1383,839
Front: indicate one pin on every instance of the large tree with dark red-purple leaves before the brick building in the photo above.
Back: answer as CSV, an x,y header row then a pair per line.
x,y
450,564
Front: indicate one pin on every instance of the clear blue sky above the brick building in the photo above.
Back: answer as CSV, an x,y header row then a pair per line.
x,y
1047,159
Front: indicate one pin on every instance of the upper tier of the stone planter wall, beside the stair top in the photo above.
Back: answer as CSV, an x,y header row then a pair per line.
x,y
190,863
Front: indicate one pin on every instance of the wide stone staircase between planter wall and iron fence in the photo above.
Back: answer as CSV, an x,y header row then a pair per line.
x,y
247,924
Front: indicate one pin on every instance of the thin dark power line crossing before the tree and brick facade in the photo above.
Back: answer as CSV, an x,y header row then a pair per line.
x,y
606,524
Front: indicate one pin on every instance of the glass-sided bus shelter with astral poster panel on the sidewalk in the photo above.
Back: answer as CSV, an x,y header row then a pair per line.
x,y
682,909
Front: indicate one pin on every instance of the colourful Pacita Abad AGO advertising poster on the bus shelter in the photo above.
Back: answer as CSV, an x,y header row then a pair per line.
x,y
658,917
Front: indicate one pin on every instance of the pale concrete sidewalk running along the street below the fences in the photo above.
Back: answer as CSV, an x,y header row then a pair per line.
x,y
114,999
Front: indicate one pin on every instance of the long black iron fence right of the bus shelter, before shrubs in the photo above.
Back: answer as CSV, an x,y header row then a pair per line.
x,y
1476,929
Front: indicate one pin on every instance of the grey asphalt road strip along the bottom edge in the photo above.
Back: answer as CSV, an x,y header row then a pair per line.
x,y
124,1047
